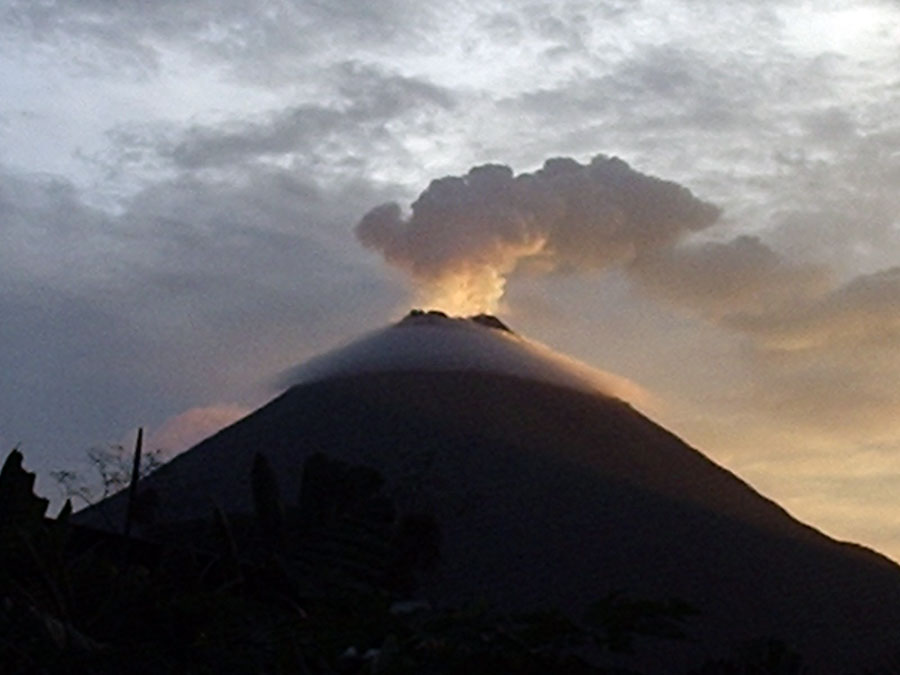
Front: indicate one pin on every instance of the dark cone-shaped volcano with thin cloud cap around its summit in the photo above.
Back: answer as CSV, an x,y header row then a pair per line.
x,y
550,490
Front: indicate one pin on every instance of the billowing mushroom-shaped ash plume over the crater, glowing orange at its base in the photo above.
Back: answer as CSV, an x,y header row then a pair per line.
x,y
465,235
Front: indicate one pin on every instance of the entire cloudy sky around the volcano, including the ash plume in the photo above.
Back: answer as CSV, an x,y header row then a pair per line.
x,y
196,197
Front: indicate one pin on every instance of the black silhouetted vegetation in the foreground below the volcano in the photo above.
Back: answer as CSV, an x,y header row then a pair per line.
x,y
323,584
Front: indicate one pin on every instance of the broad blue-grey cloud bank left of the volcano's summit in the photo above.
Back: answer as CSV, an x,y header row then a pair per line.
x,y
196,293
